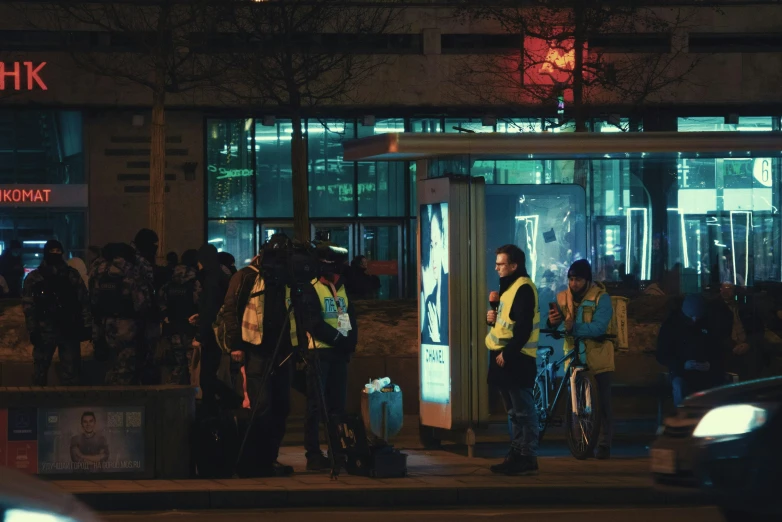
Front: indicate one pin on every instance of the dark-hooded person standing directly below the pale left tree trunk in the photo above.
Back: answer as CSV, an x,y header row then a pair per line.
x,y
146,244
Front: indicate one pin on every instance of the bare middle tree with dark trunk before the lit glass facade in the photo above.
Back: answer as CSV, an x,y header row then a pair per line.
x,y
293,56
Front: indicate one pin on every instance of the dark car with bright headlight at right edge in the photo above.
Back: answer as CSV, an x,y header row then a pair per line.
x,y
728,443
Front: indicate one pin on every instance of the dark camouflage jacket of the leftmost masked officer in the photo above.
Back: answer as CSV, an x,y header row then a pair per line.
x,y
72,306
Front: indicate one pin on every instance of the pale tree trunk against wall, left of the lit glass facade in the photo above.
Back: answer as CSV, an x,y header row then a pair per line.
x,y
157,171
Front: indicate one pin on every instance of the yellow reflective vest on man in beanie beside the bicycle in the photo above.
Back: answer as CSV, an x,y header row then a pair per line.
x,y
599,355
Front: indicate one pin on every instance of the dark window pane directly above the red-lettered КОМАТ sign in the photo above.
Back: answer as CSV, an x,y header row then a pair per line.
x,y
41,146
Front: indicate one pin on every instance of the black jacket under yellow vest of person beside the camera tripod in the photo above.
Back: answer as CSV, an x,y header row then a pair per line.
x,y
319,329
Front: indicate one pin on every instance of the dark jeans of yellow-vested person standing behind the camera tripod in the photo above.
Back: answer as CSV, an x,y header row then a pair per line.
x,y
334,378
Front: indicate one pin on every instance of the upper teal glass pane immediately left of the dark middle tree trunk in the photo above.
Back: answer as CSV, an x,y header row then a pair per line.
x,y
273,170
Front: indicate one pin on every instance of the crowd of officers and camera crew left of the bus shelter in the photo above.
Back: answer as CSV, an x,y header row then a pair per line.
x,y
198,320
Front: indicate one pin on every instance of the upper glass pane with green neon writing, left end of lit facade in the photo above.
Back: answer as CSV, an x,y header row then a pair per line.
x,y
229,168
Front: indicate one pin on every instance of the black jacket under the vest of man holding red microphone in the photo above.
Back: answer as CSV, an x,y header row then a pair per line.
x,y
519,369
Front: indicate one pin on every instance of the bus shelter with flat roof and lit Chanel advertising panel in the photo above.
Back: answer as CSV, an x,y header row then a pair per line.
x,y
636,205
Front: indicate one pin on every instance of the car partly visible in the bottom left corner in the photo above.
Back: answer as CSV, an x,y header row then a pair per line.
x,y
25,498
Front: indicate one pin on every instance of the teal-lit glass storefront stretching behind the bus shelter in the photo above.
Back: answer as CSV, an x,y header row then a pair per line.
x,y
722,212
